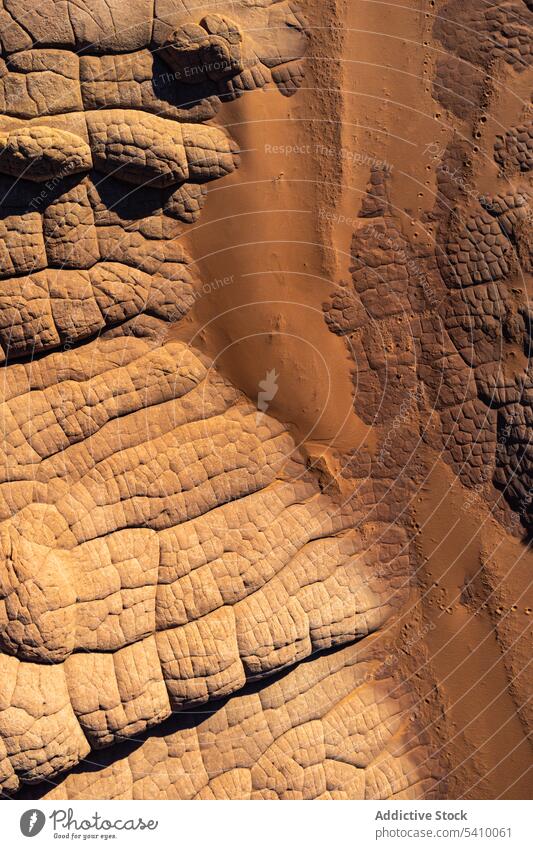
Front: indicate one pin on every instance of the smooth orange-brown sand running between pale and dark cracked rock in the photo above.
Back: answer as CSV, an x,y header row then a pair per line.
x,y
265,245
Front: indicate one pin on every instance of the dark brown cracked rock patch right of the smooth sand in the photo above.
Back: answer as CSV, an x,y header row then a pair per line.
x,y
458,313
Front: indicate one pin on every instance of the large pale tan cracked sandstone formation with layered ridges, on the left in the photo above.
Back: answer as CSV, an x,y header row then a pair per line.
x,y
164,545
